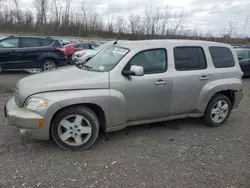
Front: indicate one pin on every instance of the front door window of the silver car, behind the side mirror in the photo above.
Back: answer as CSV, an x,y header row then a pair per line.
x,y
152,61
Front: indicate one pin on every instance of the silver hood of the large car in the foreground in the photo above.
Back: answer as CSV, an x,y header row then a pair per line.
x,y
66,78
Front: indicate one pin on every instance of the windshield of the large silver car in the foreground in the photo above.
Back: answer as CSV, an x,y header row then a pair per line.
x,y
106,59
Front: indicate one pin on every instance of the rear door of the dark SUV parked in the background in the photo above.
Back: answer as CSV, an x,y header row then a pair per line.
x,y
29,52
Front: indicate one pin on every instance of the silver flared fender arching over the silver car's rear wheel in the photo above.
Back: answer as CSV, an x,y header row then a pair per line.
x,y
208,91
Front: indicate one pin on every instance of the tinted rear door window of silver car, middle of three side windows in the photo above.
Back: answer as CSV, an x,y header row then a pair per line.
x,y
189,58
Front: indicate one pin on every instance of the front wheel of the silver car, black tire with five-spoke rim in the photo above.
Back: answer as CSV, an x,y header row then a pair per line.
x,y
67,138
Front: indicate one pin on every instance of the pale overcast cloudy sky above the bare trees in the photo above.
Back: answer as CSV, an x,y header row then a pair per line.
x,y
204,15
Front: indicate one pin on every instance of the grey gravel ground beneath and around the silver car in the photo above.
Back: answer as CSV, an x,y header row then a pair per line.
x,y
182,153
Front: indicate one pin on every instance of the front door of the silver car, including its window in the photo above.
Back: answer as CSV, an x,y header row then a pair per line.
x,y
147,97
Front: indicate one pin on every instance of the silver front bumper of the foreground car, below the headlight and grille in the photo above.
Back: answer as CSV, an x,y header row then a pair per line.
x,y
26,121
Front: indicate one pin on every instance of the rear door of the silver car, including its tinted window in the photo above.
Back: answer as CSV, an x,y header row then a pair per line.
x,y
191,74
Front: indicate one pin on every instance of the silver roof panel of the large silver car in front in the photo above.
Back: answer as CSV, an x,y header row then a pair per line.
x,y
144,44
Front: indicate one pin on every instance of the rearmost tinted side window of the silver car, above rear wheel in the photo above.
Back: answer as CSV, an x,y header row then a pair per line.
x,y
222,57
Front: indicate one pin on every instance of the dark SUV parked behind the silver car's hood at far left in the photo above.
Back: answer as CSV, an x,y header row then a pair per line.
x,y
24,53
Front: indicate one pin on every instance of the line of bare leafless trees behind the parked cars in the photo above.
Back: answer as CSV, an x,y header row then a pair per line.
x,y
60,18
